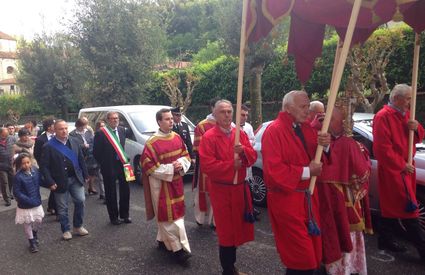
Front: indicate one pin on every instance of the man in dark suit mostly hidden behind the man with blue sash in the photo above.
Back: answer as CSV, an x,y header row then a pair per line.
x,y
49,132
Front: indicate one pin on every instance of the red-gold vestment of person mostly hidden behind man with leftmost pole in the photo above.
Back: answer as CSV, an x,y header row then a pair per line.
x,y
203,180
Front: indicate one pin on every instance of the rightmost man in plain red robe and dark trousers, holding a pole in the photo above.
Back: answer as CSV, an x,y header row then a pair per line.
x,y
397,178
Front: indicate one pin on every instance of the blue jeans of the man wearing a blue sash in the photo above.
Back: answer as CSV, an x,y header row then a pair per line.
x,y
76,190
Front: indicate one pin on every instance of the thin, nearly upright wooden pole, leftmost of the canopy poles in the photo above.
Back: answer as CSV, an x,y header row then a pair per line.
x,y
240,79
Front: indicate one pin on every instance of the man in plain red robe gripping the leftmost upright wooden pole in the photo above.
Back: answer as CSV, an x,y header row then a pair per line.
x,y
231,201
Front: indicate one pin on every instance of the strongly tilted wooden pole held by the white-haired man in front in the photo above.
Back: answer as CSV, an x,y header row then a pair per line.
x,y
336,82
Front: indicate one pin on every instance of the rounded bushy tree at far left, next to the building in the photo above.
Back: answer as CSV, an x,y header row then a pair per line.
x,y
52,72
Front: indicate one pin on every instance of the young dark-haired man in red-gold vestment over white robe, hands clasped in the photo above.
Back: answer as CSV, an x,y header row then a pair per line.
x,y
164,161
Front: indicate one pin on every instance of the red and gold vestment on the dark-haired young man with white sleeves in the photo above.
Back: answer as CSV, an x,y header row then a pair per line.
x,y
164,150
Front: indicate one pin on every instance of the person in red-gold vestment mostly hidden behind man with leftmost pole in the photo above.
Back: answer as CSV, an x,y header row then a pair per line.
x,y
202,205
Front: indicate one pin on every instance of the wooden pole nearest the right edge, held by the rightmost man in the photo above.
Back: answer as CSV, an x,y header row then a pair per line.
x,y
415,70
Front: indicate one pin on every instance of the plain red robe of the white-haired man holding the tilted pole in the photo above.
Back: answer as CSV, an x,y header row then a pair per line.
x,y
284,157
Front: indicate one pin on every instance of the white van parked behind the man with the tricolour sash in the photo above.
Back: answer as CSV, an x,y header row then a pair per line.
x,y
140,123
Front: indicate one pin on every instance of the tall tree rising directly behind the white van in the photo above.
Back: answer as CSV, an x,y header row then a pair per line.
x,y
121,41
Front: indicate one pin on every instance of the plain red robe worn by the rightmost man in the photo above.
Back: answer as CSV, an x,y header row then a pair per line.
x,y
390,146
